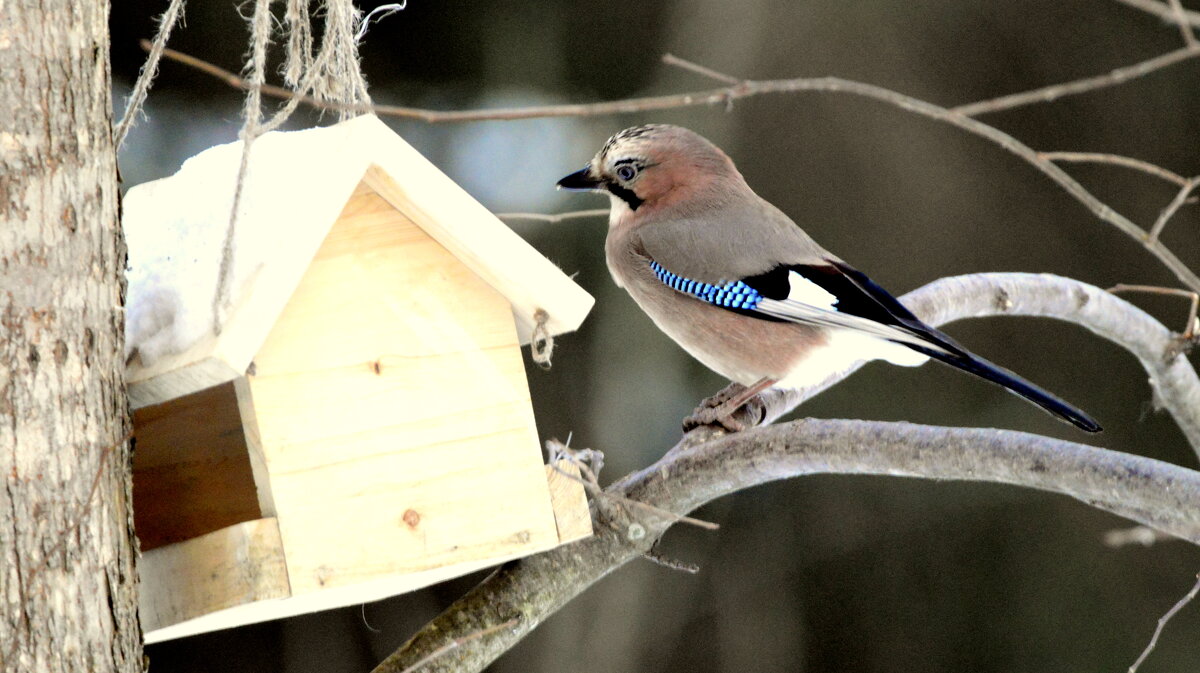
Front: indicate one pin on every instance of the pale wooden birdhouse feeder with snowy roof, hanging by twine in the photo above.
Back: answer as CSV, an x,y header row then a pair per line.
x,y
346,417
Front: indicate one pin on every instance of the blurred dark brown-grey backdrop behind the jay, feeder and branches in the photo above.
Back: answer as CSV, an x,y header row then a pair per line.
x,y
820,574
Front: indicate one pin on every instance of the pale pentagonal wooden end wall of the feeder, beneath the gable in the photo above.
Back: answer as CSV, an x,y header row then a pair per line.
x,y
393,412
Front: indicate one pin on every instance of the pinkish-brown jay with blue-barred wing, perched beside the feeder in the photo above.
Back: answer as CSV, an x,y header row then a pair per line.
x,y
742,289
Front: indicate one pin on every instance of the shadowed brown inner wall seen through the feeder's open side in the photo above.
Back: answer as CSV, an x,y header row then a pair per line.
x,y
191,472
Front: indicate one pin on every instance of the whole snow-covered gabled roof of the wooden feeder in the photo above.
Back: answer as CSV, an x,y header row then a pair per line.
x,y
297,187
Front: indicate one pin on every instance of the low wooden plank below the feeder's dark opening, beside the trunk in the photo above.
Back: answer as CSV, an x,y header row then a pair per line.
x,y
233,567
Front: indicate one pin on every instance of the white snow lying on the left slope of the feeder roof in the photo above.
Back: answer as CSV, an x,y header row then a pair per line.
x,y
176,230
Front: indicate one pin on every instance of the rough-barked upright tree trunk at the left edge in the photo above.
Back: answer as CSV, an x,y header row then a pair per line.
x,y
68,579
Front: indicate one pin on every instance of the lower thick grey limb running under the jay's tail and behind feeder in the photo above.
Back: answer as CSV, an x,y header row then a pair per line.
x,y
1147,491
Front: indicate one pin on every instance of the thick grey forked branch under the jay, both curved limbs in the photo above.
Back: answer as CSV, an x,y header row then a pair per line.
x,y
706,466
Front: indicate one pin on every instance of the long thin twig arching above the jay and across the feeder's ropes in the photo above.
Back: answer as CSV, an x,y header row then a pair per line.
x,y
754,88
